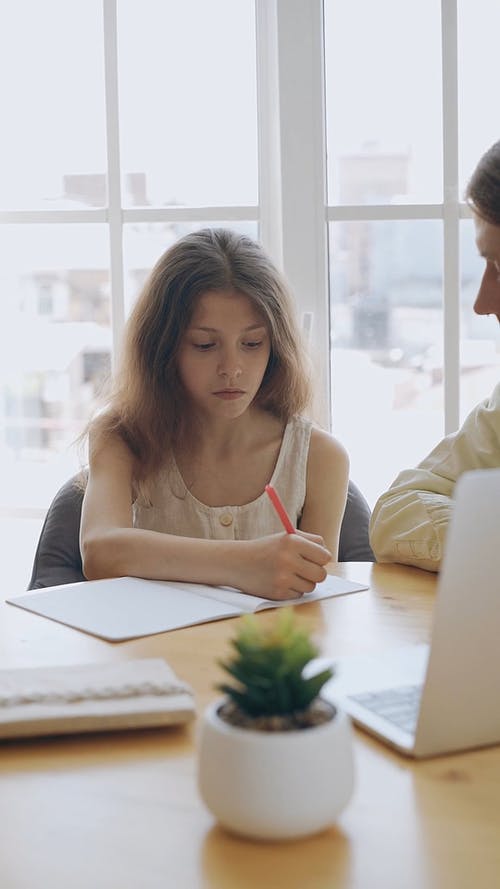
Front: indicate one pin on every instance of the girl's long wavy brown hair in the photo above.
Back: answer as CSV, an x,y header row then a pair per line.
x,y
147,406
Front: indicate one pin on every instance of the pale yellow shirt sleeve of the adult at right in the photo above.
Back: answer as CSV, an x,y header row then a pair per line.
x,y
410,520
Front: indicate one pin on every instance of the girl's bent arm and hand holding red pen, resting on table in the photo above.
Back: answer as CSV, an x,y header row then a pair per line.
x,y
278,566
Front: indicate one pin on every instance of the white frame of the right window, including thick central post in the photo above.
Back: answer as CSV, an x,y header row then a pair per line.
x,y
298,188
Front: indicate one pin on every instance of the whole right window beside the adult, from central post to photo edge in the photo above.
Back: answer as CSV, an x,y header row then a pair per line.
x,y
404,130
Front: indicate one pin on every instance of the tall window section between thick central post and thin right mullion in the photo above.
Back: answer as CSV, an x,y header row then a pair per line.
x,y
385,188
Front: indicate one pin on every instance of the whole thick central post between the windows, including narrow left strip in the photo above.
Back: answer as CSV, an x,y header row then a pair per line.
x,y
293,164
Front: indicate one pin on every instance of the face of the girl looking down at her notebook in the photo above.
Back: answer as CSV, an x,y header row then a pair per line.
x,y
224,354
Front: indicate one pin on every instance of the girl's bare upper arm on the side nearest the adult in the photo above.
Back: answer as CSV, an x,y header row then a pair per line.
x,y
326,489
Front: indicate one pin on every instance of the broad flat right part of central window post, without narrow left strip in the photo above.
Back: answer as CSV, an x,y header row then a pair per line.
x,y
303,175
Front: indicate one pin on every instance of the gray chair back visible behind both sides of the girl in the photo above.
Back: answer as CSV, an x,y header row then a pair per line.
x,y
58,560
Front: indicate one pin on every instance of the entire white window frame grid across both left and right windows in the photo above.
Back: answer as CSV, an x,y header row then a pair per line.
x,y
292,212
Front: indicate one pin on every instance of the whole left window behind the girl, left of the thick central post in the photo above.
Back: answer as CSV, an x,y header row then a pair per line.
x,y
138,124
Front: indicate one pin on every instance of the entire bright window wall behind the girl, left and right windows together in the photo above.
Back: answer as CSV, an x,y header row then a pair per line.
x,y
340,132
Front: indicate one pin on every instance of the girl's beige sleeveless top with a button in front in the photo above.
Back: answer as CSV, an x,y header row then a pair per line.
x,y
173,509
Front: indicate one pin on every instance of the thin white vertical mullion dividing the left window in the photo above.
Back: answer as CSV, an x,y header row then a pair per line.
x,y
115,220
